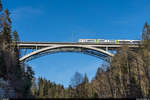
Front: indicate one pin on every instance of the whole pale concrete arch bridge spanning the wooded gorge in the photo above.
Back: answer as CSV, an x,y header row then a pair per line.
x,y
102,51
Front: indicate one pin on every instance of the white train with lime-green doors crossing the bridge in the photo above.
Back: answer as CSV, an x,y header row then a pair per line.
x,y
108,41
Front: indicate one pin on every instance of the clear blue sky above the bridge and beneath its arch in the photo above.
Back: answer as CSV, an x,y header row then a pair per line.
x,y
59,20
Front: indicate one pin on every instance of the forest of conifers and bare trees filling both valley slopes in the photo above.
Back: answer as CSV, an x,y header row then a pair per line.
x,y
126,76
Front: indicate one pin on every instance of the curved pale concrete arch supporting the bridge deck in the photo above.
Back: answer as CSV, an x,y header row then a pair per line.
x,y
100,53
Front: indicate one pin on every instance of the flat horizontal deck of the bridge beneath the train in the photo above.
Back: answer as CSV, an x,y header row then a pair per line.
x,y
33,45
